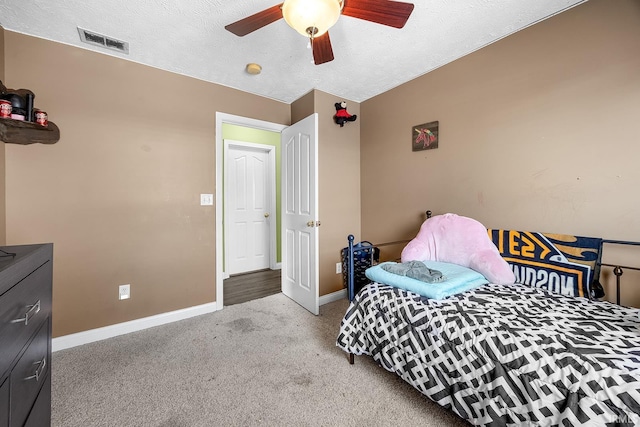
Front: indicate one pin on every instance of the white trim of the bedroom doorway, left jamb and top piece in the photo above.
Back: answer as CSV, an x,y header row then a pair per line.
x,y
238,121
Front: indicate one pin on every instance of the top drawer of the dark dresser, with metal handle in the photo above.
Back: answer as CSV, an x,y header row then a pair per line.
x,y
22,310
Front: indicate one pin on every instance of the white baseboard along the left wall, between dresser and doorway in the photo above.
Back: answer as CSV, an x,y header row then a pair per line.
x,y
86,337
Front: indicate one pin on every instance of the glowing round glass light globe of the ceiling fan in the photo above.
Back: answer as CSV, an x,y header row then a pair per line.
x,y
301,15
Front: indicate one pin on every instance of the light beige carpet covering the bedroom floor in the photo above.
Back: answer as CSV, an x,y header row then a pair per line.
x,y
265,362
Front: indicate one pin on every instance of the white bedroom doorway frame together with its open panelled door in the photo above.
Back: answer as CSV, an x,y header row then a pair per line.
x,y
299,206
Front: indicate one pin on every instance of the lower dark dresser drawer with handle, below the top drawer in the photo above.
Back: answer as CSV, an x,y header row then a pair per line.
x,y
28,376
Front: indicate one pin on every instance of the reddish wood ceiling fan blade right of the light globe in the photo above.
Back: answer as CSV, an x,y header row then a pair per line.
x,y
386,12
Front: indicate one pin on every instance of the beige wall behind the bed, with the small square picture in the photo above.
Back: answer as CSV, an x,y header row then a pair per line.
x,y
538,131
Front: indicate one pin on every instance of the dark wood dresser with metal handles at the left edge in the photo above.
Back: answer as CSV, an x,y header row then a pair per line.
x,y
25,335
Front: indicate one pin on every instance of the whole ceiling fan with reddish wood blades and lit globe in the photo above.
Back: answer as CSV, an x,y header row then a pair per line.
x,y
313,18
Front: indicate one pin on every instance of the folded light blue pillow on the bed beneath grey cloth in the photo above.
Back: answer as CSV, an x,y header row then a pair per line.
x,y
457,279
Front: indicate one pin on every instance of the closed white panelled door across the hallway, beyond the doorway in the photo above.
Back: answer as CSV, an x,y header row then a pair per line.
x,y
248,207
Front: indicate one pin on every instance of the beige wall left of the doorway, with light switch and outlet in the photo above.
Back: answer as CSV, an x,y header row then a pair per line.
x,y
118,195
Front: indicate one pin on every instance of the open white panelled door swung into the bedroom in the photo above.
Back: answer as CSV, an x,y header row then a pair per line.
x,y
300,213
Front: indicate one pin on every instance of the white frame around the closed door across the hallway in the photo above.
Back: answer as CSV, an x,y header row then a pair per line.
x,y
271,178
